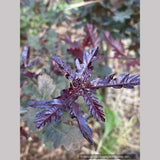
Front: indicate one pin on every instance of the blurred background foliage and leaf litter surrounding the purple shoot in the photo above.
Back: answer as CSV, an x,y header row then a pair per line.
x,y
47,26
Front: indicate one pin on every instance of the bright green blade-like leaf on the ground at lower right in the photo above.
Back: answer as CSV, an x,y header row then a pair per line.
x,y
109,140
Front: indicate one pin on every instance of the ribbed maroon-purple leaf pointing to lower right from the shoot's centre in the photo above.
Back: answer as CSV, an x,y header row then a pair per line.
x,y
95,108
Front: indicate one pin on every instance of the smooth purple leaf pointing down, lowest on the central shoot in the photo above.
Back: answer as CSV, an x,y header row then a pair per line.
x,y
82,122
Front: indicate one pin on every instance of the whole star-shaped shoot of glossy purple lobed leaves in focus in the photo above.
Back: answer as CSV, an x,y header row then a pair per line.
x,y
80,86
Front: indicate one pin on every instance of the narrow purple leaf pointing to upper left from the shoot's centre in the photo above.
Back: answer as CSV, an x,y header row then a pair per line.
x,y
62,65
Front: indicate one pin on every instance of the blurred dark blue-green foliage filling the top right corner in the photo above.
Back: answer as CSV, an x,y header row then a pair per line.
x,y
120,18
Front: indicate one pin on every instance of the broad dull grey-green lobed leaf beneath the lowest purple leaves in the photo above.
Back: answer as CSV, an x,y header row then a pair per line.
x,y
62,133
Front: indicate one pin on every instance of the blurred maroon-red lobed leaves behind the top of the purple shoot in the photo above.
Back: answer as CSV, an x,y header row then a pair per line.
x,y
92,39
